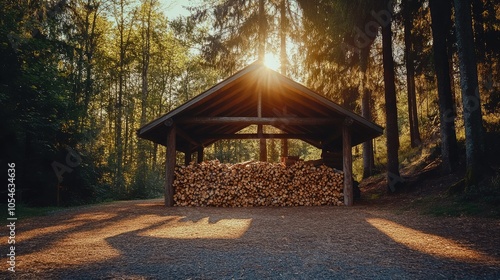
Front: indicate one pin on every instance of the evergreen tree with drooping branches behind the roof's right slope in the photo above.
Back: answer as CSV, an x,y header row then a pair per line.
x,y
346,41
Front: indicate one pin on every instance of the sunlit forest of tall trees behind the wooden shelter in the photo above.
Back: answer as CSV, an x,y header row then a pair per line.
x,y
79,77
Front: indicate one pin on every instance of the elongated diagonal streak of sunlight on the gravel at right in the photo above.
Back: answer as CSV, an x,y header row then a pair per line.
x,y
428,243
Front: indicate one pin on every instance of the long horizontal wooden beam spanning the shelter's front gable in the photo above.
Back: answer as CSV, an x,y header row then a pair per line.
x,y
261,121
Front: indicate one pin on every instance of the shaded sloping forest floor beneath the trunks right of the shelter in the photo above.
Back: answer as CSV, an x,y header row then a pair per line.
x,y
426,191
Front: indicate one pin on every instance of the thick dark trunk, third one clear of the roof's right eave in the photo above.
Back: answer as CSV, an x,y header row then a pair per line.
x,y
441,25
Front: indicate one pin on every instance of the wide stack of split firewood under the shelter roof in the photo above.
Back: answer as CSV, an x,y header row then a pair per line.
x,y
212,183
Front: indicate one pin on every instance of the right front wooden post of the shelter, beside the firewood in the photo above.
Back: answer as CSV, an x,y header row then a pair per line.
x,y
347,162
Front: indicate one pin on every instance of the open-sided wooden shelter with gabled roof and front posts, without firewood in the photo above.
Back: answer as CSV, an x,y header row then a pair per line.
x,y
257,95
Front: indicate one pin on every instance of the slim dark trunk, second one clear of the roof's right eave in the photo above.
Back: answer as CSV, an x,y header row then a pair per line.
x,y
410,81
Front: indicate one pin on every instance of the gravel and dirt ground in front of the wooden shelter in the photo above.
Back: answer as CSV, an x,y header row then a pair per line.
x,y
144,240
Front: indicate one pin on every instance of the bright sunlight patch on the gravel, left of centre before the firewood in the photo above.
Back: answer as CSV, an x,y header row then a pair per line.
x,y
202,229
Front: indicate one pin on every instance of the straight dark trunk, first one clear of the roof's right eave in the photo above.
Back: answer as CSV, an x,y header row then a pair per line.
x,y
392,132
